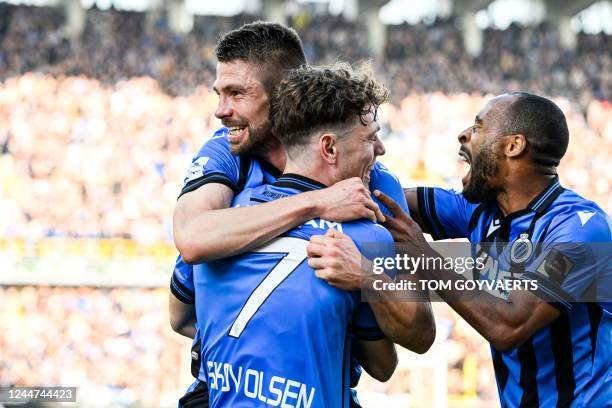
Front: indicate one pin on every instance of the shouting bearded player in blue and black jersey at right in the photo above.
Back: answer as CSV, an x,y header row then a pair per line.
x,y
548,348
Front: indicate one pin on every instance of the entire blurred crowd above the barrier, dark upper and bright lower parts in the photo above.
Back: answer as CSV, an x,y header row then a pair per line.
x,y
96,134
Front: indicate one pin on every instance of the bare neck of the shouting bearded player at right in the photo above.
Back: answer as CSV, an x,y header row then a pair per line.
x,y
520,191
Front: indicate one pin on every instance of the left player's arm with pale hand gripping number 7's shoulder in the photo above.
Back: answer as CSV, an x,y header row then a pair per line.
x,y
337,260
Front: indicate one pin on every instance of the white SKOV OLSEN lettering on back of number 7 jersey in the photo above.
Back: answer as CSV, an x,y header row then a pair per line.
x,y
272,390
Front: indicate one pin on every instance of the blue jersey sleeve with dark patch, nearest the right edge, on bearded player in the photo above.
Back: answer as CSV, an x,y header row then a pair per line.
x,y
573,260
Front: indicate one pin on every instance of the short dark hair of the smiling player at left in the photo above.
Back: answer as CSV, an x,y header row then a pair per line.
x,y
273,48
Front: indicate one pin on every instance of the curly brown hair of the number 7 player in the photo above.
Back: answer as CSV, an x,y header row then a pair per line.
x,y
323,99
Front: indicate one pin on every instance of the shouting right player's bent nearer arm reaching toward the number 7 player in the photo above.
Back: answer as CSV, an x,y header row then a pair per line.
x,y
506,324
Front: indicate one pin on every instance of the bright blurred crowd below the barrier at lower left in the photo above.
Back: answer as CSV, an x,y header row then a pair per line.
x,y
113,344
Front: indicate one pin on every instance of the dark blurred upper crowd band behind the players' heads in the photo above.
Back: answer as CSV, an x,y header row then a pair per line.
x,y
417,58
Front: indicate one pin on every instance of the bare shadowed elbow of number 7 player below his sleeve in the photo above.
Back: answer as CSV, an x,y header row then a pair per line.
x,y
377,357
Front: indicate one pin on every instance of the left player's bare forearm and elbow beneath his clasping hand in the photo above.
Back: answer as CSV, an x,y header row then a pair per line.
x,y
408,323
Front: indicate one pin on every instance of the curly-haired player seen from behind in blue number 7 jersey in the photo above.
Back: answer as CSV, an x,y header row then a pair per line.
x,y
272,332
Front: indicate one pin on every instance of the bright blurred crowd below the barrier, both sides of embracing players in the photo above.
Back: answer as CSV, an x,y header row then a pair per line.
x,y
115,346
